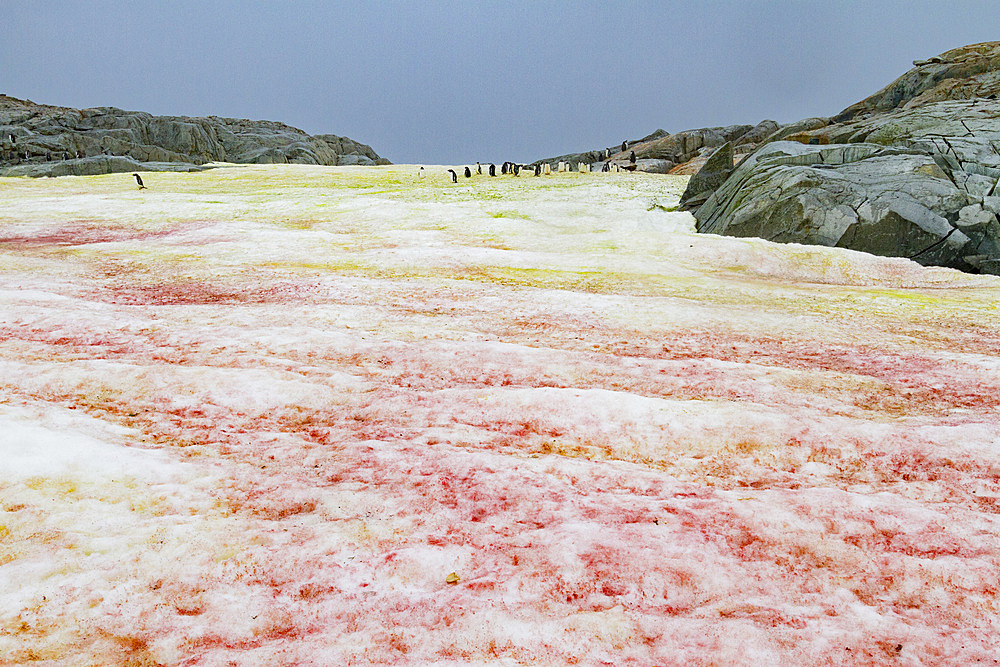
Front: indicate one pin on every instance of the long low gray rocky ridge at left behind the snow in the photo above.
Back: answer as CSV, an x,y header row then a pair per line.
x,y
44,140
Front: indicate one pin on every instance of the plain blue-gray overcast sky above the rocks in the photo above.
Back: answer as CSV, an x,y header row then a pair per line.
x,y
454,82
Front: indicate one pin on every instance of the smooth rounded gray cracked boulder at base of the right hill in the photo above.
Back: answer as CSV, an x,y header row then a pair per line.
x,y
865,197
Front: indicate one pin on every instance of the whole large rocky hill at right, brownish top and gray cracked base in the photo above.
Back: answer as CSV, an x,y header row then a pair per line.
x,y
911,171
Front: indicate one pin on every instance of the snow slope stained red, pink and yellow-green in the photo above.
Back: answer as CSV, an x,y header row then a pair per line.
x,y
259,415
